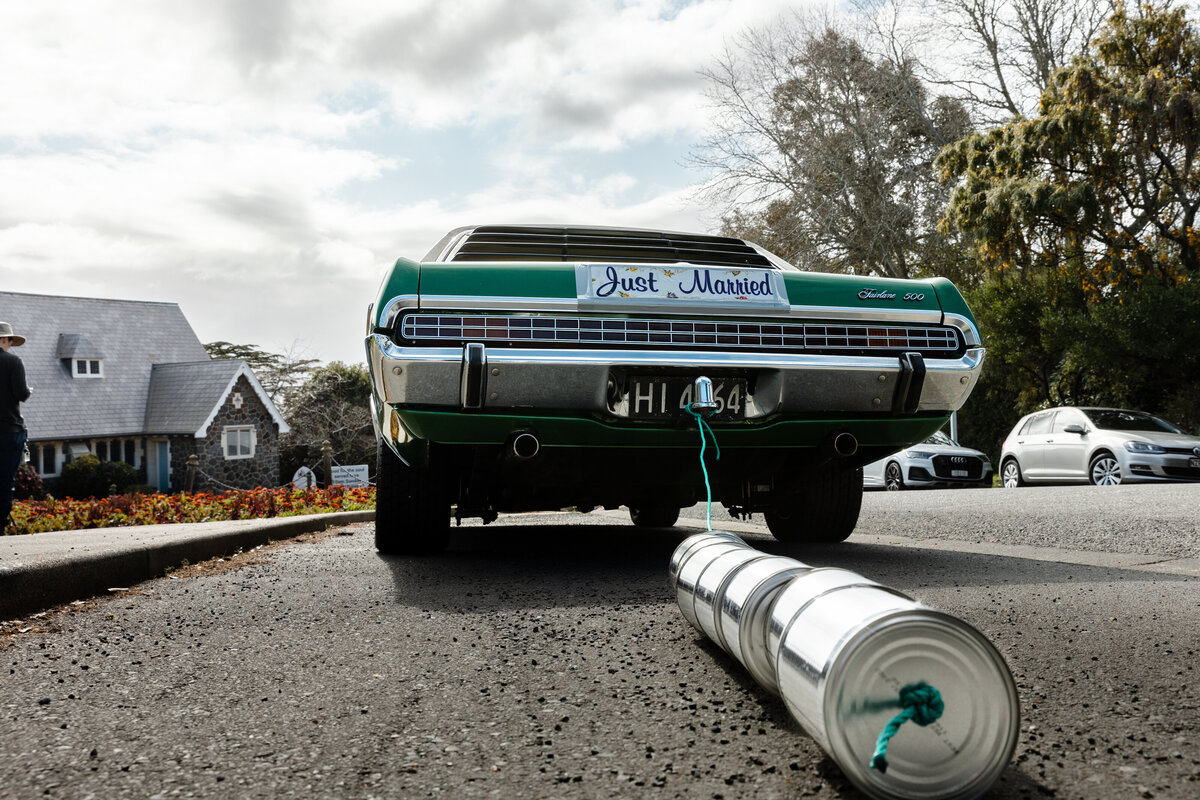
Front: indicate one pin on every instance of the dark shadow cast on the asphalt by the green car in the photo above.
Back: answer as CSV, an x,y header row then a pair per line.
x,y
543,567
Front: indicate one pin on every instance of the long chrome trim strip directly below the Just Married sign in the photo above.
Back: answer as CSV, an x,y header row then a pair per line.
x,y
559,305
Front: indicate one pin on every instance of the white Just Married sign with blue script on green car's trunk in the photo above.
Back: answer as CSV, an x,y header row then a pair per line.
x,y
681,282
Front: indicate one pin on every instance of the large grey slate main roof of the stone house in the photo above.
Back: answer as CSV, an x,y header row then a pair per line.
x,y
134,336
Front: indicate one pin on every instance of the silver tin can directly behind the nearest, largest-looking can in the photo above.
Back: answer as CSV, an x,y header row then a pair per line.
x,y
745,611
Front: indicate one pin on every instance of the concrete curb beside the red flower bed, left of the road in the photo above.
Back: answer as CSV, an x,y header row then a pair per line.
x,y
43,570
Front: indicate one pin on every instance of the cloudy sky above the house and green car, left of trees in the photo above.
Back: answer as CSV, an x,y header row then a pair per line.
x,y
260,163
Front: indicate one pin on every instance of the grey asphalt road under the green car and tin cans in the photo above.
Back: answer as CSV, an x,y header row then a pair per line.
x,y
544,658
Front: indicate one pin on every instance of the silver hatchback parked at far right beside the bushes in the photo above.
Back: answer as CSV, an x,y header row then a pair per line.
x,y
1105,447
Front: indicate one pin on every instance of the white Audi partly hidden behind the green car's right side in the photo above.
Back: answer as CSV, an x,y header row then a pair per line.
x,y
937,462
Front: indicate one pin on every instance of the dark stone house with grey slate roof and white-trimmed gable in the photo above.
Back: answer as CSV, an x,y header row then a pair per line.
x,y
129,381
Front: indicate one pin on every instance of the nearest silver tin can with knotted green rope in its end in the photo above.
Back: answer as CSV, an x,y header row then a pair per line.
x,y
843,661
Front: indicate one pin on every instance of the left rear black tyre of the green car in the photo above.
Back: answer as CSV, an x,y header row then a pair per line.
x,y
412,508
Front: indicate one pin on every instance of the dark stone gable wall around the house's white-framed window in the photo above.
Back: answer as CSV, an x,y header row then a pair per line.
x,y
218,473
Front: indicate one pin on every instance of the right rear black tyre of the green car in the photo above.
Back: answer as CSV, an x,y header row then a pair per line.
x,y
824,512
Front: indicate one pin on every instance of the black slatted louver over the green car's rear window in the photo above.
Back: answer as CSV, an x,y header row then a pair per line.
x,y
505,244
